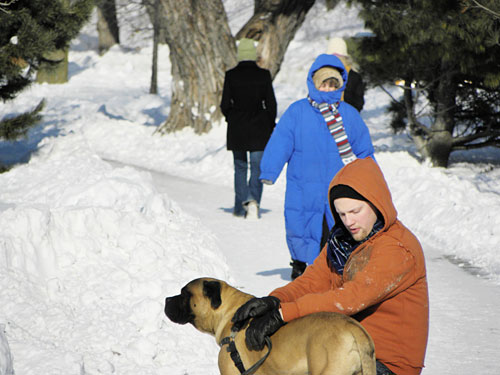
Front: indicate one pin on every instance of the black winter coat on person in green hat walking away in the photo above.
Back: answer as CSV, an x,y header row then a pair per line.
x,y
249,105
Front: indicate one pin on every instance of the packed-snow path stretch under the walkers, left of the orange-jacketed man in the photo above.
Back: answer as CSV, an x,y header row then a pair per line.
x,y
242,241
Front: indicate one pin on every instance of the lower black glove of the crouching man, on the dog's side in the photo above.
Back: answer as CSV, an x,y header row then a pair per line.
x,y
261,327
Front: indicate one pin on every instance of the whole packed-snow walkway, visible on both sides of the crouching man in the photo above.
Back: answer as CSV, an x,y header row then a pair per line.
x,y
464,330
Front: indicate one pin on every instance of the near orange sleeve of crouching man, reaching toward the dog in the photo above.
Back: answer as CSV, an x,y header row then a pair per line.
x,y
384,276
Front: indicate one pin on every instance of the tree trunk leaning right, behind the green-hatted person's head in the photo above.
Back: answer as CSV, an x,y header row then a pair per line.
x,y
274,25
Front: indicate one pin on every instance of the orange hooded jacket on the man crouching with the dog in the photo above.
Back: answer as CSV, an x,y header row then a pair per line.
x,y
384,284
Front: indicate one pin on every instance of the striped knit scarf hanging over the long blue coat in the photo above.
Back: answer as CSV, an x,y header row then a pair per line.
x,y
335,124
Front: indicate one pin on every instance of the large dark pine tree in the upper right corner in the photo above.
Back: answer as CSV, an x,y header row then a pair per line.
x,y
447,53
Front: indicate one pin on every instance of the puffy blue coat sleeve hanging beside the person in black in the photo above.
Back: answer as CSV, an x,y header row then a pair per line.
x,y
279,148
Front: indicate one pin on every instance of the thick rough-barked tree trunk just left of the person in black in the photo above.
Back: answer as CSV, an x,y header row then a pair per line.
x,y
201,50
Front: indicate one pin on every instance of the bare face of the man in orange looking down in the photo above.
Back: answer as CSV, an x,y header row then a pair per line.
x,y
357,216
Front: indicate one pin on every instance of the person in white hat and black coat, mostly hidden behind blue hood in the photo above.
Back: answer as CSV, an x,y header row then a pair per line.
x,y
354,92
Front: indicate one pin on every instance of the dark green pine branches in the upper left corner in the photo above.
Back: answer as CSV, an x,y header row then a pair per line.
x,y
30,30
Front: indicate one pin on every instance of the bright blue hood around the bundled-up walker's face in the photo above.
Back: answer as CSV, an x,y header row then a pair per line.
x,y
321,96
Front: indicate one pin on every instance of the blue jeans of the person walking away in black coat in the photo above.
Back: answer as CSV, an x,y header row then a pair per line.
x,y
246,190
